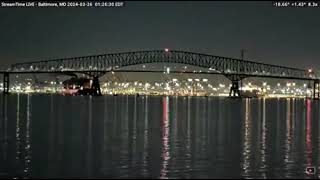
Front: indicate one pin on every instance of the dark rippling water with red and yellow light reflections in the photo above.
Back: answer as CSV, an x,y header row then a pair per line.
x,y
158,137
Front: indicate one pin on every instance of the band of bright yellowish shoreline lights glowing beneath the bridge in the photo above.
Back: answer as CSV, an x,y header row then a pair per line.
x,y
187,87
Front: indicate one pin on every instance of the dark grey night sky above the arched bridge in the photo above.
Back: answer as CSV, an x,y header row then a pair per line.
x,y
283,36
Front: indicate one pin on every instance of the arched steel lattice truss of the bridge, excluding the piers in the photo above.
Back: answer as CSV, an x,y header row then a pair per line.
x,y
104,62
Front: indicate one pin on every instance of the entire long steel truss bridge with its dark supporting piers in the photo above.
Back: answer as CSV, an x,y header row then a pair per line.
x,y
97,65
